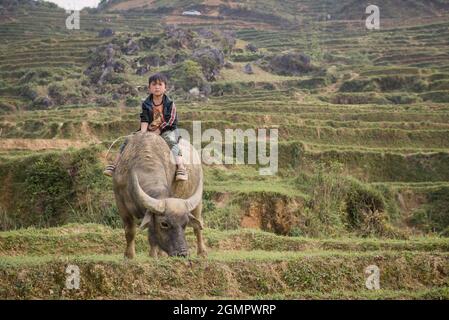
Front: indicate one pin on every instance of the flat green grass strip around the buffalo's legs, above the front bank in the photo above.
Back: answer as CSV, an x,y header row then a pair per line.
x,y
97,239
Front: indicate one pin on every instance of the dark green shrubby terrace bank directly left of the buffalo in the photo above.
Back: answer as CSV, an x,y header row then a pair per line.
x,y
56,188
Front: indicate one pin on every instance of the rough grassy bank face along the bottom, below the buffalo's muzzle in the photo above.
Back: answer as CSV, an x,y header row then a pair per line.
x,y
224,274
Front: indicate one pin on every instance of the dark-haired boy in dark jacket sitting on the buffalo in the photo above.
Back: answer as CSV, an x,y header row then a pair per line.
x,y
159,116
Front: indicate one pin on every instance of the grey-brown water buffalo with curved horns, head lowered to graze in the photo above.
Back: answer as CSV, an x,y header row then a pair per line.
x,y
145,188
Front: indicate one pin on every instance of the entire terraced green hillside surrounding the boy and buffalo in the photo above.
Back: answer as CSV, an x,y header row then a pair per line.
x,y
363,120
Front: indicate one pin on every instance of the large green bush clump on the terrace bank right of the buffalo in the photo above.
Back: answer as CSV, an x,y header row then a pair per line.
x,y
339,205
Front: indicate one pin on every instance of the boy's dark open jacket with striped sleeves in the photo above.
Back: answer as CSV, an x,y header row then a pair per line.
x,y
169,111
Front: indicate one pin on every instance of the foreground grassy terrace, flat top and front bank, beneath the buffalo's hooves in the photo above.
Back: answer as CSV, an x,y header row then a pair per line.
x,y
310,268
